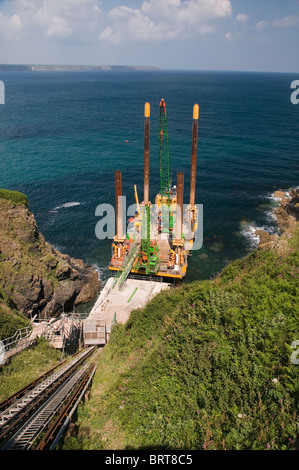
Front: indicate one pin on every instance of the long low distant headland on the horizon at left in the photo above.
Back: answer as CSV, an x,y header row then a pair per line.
x,y
66,68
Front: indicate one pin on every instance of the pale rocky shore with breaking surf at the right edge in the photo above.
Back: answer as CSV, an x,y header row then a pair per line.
x,y
287,215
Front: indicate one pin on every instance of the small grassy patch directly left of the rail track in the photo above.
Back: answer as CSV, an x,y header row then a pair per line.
x,y
27,366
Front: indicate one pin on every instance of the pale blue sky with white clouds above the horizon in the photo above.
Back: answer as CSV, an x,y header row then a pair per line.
x,y
252,35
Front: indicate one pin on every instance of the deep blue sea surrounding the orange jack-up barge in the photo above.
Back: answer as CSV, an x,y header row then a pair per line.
x,y
63,134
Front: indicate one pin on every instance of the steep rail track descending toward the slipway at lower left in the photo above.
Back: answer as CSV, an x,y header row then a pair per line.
x,y
34,417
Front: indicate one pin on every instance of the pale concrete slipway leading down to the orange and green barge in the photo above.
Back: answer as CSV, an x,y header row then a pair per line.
x,y
115,305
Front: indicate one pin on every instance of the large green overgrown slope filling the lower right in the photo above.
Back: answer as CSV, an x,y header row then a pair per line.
x,y
205,366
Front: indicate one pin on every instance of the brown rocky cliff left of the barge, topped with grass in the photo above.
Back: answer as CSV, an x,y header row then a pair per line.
x,y
37,278
